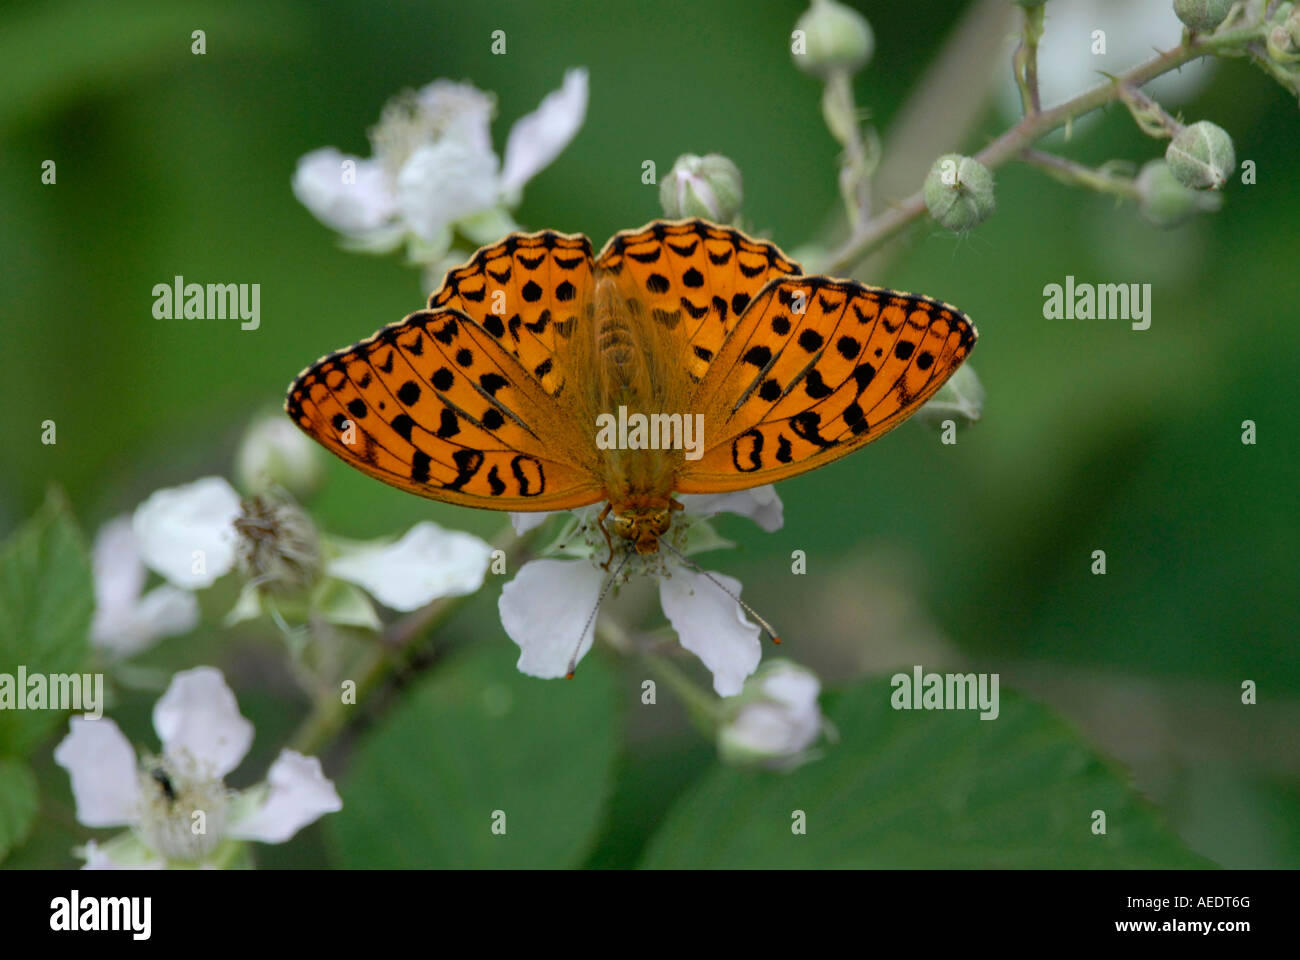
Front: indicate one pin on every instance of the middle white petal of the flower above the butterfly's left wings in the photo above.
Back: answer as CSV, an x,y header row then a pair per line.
x,y
445,181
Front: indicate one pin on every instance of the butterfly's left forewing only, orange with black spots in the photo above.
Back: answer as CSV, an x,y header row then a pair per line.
x,y
435,405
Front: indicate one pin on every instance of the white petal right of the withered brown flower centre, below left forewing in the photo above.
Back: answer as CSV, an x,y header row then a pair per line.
x,y
427,564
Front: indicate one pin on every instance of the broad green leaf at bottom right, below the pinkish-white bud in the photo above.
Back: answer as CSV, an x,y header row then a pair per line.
x,y
924,789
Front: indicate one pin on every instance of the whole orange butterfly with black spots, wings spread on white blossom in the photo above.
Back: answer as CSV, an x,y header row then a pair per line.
x,y
502,393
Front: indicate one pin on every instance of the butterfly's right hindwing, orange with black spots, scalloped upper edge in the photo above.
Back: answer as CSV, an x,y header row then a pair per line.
x,y
695,279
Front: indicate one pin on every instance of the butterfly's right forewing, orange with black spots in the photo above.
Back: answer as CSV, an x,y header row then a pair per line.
x,y
814,370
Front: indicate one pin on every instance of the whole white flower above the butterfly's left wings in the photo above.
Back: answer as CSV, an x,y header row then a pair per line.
x,y
434,170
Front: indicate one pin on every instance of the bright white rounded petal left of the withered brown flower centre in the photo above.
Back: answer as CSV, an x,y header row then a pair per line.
x,y
187,534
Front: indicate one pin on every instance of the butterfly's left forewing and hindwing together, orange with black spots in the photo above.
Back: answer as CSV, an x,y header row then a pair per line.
x,y
458,403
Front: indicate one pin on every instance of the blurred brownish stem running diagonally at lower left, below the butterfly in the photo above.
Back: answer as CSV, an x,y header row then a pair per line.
x,y
395,650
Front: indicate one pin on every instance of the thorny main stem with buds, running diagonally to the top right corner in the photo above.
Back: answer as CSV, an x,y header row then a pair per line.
x,y
1033,128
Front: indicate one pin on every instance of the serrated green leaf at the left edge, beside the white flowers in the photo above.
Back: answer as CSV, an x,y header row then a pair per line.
x,y
46,606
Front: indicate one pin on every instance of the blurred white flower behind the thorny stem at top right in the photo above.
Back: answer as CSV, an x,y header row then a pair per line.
x,y
1134,33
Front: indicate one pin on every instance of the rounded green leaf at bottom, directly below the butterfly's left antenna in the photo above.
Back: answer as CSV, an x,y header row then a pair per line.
x,y
474,740
